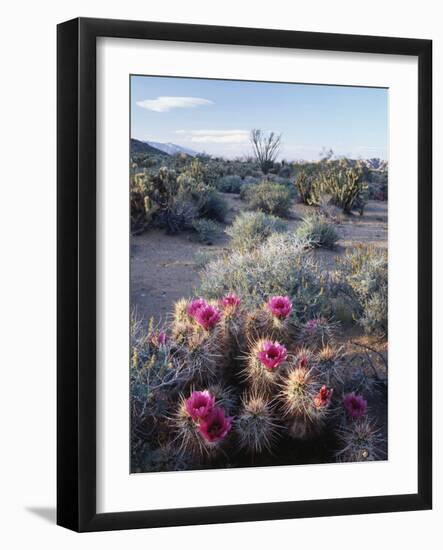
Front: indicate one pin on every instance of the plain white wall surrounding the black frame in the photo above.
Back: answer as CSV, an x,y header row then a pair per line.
x,y
27,292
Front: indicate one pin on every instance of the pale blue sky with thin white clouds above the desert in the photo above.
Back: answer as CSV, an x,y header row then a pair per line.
x,y
216,116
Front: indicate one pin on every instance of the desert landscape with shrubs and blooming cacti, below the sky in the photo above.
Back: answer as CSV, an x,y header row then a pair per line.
x,y
259,311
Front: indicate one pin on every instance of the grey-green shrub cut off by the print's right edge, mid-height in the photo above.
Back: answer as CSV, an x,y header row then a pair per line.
x,y
364,273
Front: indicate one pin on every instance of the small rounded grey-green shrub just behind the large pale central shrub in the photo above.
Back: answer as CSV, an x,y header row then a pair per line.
x,y
250,229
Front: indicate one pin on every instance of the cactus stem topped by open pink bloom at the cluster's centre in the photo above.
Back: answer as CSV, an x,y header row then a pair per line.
x,y
264,364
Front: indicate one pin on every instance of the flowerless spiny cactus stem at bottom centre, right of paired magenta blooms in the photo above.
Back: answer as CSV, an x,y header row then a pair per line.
x,y
256,424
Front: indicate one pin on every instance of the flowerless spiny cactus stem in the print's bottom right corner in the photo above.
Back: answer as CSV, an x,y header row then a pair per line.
x,y
360,441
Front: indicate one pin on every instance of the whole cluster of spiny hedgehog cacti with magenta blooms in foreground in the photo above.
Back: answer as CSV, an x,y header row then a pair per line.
x,y
235,380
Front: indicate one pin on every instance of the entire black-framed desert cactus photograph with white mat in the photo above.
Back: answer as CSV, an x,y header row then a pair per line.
x,y
244,274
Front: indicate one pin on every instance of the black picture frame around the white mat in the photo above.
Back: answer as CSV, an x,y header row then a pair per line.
x,y
76,264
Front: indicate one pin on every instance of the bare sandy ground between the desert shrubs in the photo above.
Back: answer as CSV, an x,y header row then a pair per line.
x,y
163,266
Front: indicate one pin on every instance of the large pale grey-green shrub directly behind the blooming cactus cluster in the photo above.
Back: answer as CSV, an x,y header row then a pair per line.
x,y
281,265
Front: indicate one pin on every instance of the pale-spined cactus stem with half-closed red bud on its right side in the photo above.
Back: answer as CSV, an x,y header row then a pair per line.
x,y
304,402
